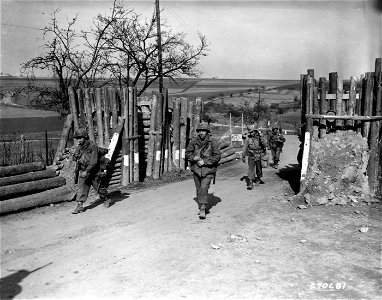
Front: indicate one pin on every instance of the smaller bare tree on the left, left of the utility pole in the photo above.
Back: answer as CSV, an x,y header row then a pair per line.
x,y
71,57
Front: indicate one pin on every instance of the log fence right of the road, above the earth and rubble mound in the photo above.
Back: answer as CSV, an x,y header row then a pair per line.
x,y
359,108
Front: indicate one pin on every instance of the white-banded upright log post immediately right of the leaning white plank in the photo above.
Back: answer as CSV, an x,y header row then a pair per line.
x,y
125,141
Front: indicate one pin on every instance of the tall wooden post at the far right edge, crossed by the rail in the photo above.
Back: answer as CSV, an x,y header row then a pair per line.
x,y
375,138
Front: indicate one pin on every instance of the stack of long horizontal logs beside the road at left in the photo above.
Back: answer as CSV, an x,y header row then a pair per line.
x,y
30,185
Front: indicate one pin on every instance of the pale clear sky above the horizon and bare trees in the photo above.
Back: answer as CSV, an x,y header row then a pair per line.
x,y
248,39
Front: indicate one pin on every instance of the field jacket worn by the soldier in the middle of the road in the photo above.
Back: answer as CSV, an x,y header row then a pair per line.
x,y
207,149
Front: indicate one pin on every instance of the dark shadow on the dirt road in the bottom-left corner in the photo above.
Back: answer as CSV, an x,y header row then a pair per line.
x,y
10,285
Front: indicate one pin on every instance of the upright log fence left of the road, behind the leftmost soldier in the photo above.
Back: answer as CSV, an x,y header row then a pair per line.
x,y
154,133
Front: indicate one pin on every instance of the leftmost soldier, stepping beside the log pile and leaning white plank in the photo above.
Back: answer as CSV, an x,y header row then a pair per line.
x,y
88,164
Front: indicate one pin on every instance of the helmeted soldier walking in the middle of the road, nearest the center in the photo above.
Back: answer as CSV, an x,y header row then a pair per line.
x,y
203,153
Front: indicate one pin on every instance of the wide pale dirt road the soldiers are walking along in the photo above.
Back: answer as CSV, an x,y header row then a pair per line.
x,y
151,244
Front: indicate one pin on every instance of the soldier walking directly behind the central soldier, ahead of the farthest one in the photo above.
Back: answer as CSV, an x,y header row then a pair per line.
x,y
254,147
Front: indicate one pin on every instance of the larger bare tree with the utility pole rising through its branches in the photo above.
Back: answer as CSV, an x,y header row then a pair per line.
x,y
131,50
